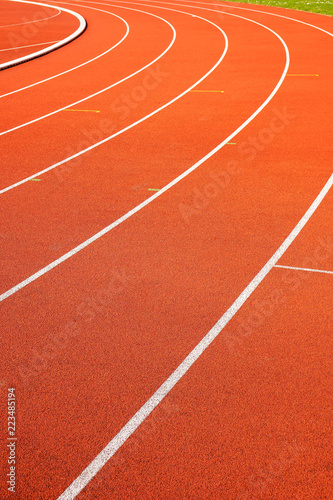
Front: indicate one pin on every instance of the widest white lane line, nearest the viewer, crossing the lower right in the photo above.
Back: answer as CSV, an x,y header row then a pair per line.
x,y
110,449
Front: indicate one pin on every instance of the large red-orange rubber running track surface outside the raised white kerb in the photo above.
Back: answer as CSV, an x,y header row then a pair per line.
x,y
88,343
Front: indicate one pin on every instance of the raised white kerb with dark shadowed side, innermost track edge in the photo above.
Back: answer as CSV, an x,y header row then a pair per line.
x,y
71,37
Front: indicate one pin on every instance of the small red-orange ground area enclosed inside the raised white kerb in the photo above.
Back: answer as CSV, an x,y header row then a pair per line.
x,y
26,28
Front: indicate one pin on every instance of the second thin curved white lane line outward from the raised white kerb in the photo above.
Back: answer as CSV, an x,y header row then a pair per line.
x,y
109,86
